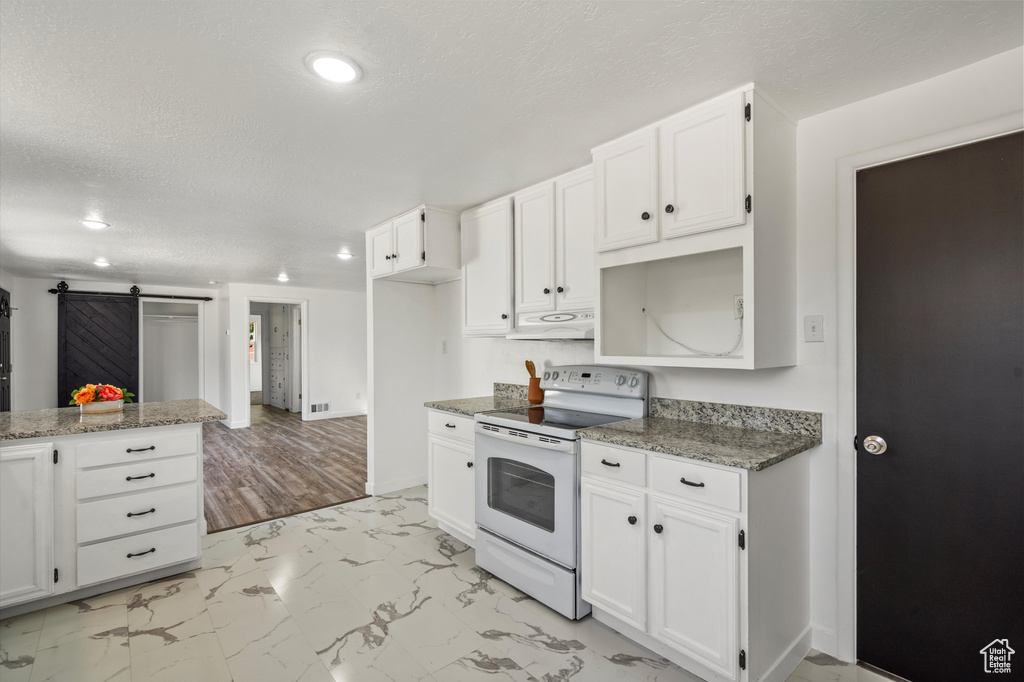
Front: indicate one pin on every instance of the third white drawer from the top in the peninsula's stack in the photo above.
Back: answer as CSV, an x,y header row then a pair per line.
x,y
109,519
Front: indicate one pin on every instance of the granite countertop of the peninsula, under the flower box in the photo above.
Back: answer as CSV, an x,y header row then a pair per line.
x,y
69,421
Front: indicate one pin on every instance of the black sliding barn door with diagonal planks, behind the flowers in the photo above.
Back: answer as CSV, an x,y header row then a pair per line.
x,y
98,343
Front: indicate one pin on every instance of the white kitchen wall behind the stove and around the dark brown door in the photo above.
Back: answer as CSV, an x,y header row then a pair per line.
x,y
982,92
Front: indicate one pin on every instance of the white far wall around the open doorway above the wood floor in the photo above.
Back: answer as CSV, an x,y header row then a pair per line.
x,y
336,333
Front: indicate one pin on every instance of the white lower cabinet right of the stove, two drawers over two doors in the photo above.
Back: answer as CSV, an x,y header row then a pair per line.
x,y
707,566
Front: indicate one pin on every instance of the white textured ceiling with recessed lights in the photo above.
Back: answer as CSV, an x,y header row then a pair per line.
x,y
195,131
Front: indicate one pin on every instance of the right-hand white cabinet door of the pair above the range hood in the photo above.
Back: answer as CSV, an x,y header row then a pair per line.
x,y
575,222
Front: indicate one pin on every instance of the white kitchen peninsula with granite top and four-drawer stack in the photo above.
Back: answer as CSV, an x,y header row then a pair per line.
x,y
93,503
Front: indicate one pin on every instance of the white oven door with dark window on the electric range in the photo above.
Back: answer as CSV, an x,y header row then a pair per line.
x,y
528,491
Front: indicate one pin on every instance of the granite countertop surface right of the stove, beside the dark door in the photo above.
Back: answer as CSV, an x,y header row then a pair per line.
x,y
729,446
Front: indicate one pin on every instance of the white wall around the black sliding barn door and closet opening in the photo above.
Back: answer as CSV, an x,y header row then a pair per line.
x,y
34,338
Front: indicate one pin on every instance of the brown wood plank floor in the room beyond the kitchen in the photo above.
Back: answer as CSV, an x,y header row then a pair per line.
x,y
281,466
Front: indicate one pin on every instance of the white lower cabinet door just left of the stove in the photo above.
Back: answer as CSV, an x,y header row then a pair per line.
x,y
451,484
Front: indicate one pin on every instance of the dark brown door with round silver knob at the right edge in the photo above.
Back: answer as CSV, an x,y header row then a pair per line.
x,y
941,352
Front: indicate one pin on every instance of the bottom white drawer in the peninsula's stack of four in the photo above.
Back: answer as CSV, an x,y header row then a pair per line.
x,y
106,562
